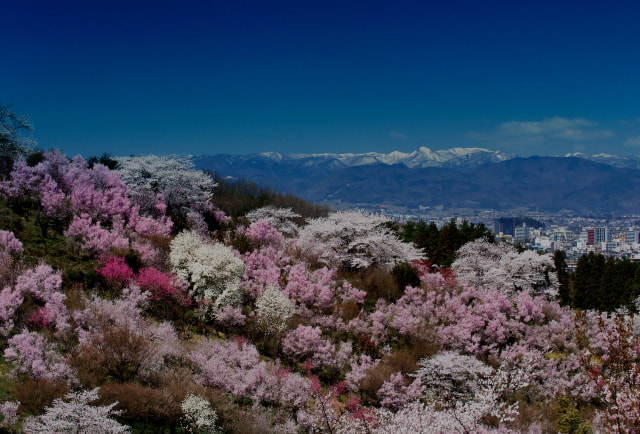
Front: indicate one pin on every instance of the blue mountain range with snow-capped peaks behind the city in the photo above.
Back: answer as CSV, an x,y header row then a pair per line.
x,y
455,178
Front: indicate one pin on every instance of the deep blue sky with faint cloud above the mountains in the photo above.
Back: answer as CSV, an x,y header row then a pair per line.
x,y
239,77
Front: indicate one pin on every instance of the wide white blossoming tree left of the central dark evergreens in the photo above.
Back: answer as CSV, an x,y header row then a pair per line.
x,y
354,239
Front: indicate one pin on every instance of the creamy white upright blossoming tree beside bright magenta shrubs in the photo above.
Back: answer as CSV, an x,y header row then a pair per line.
x,y
212,270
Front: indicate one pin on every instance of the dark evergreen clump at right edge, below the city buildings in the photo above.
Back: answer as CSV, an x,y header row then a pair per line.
x,y
605,284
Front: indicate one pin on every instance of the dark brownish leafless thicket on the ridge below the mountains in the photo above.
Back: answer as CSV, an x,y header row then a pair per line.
x,y
236,197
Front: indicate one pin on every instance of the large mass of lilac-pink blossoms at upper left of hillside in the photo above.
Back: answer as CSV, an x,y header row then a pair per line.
x,y
95,199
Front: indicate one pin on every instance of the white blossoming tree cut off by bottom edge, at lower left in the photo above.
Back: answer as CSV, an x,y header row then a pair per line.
x,y
76,415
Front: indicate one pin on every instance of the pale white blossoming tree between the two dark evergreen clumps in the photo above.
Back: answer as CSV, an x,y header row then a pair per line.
x,y
484,265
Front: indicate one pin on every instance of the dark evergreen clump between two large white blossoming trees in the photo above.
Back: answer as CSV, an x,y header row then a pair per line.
x,y
441,244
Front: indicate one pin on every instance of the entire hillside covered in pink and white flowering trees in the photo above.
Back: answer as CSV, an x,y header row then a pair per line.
x,y
141,295
